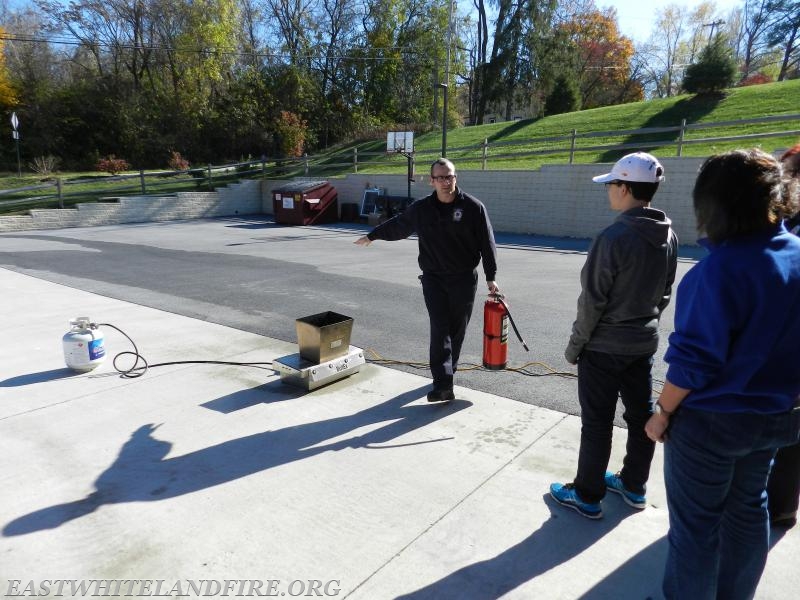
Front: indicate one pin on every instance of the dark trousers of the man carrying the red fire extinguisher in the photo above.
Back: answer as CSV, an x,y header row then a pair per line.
x,y
449,299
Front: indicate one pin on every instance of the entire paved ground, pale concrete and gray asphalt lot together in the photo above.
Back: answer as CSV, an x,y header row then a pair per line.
x,y
226,477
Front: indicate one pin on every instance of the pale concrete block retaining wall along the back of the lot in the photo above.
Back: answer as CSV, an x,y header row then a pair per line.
x,y
556,200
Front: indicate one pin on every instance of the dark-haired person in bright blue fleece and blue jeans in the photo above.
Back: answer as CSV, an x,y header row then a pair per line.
x,y
730,398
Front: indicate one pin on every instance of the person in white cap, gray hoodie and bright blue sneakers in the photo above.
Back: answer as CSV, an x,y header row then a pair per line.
x,y
625,285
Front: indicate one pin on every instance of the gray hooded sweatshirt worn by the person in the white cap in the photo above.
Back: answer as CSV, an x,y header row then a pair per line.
x,y
626,284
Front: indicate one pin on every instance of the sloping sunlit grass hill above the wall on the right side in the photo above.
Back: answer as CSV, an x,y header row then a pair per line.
x,y
523,144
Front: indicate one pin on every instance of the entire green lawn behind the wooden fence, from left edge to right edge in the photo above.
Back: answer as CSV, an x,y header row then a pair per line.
x,y
518,144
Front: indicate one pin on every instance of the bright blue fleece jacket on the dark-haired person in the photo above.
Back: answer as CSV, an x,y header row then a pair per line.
x,y
736,342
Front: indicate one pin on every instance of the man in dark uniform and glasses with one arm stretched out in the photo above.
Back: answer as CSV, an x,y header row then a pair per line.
x,y
454,234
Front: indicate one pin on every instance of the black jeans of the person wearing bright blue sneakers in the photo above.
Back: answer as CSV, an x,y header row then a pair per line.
x,y
602,378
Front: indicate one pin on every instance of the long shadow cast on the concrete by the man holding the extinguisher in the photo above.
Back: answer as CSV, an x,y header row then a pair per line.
x,y
141,472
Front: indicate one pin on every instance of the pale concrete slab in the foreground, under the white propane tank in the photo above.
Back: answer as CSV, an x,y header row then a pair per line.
x,y
360,489
